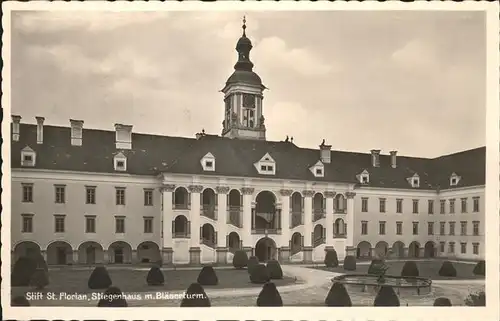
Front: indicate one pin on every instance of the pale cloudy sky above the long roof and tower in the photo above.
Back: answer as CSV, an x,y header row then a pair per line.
x,y
407,81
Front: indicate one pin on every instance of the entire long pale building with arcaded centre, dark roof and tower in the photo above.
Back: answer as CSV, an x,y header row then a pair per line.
x,y
85,196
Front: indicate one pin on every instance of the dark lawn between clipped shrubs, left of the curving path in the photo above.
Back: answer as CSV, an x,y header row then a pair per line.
x,y
128,280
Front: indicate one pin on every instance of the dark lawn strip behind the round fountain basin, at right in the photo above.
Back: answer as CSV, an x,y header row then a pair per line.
x,y
428,269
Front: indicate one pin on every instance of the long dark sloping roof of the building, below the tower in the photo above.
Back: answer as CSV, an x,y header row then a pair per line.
x,y
151,155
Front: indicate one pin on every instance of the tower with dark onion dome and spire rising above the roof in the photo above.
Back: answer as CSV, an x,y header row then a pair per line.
x,y
243,116
